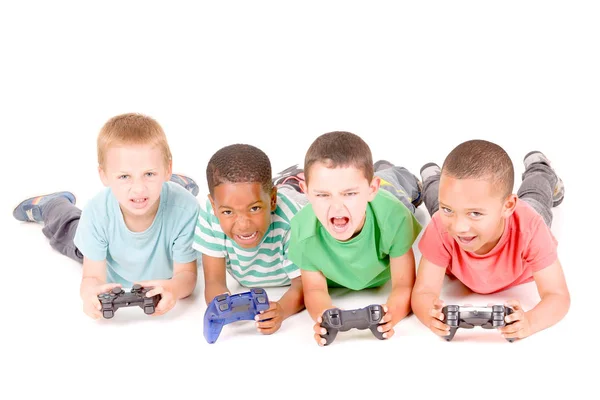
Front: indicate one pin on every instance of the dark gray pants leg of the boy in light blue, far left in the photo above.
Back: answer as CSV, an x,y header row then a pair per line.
x,y
61,218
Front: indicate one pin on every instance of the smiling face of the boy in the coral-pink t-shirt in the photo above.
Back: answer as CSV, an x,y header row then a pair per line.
x,y
474,212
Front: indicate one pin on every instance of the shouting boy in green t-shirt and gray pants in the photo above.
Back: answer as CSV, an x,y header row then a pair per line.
x,y
352,234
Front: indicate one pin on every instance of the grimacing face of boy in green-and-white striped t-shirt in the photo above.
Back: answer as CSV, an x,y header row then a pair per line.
x,y
244,211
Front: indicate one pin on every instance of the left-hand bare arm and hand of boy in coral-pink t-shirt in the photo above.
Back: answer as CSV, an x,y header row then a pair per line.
x,y
425,300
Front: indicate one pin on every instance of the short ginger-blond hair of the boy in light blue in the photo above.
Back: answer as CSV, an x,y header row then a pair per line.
x,y
131,129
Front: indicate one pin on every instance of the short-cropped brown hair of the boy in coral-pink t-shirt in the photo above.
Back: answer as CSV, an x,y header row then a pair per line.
x,y
480,159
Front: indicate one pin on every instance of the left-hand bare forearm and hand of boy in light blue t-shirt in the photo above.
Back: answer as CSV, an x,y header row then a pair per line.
x,y
94,283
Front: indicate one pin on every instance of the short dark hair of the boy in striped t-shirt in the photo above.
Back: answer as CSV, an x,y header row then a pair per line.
x,y
239,163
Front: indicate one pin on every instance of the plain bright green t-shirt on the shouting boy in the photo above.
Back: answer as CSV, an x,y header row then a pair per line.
x,y
390,230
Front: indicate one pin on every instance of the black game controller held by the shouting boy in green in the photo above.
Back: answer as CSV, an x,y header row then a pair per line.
x,y
336,320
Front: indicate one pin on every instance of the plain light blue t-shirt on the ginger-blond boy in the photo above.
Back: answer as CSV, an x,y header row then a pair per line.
x,y
137,256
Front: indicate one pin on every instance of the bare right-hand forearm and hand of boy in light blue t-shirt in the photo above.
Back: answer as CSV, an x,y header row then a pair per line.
x,y
180,286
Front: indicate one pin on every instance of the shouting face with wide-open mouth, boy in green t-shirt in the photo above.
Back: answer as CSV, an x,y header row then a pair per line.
x,y
339,198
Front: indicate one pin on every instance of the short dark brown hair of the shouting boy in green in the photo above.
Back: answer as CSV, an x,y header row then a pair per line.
x,y
340,149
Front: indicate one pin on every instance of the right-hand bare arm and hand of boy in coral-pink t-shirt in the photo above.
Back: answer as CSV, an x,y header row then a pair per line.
x,y
553,306
